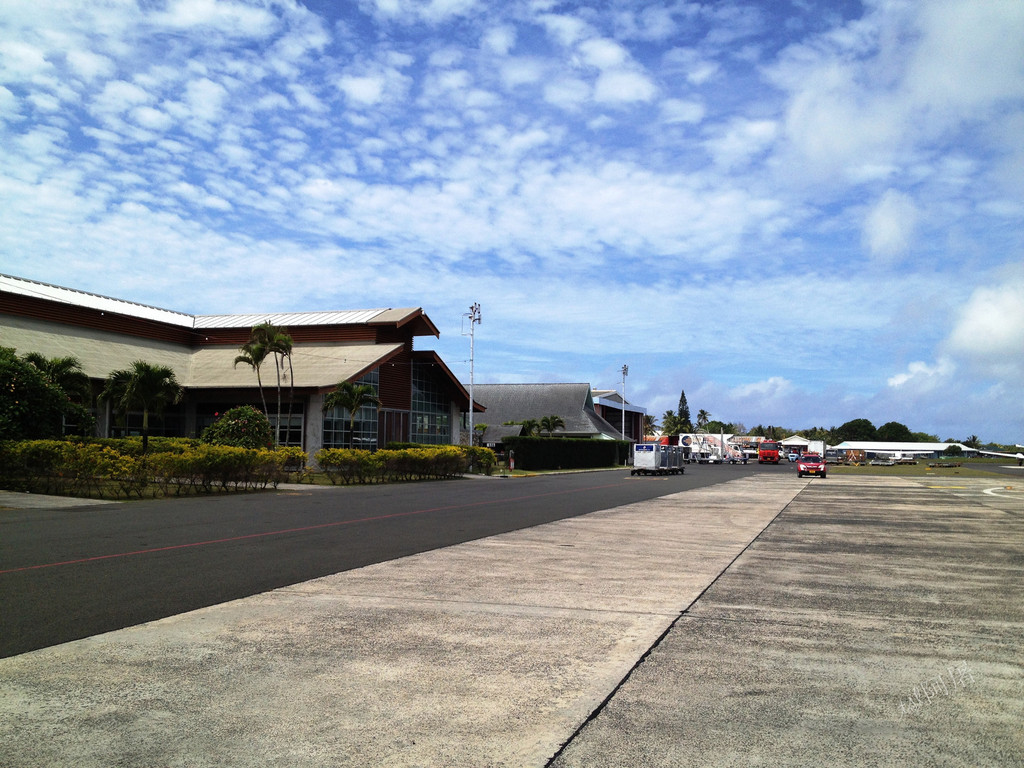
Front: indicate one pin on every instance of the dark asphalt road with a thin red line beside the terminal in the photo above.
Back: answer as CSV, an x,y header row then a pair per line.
x,y
70,574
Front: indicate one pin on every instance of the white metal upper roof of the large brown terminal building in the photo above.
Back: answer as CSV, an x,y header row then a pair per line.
x,y
119,307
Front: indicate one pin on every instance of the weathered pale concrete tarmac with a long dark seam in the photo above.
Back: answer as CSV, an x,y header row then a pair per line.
x,y
767,621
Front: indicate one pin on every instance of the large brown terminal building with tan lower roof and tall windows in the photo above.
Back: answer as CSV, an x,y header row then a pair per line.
x,y
421,400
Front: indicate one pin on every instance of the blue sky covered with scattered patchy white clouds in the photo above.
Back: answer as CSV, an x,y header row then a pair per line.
x,y
799,212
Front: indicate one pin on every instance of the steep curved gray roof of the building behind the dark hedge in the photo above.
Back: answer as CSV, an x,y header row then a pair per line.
x,y
572,402
